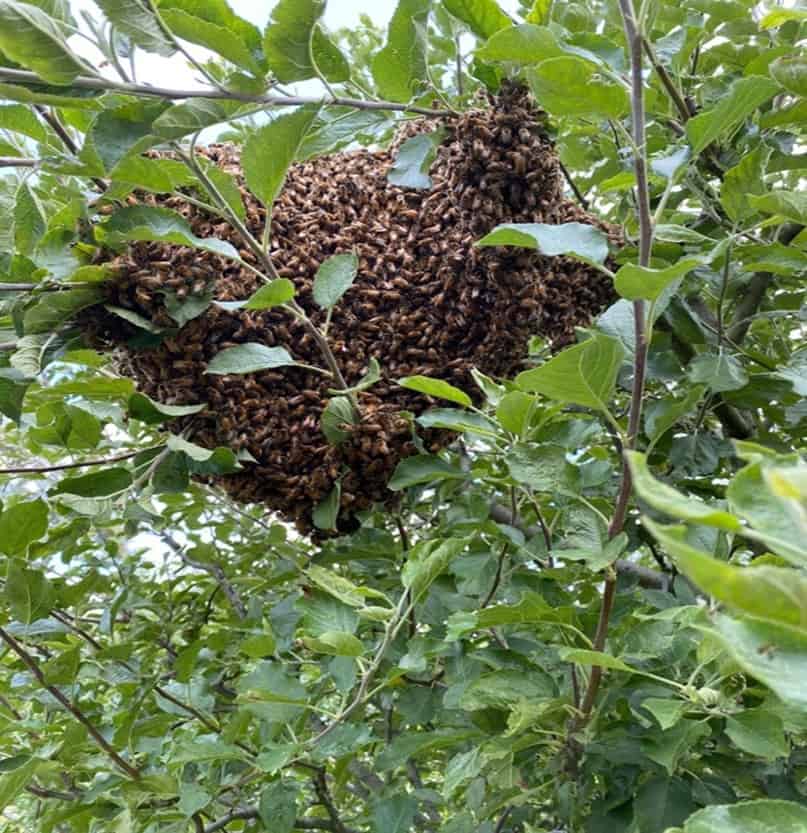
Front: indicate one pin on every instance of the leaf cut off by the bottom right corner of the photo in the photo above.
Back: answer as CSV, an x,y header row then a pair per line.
x,y
763,816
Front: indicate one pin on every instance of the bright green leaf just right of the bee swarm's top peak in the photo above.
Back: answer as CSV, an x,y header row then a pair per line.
x,y
571,86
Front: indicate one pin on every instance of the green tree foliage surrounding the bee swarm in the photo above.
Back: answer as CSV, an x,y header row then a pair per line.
x,y
590,615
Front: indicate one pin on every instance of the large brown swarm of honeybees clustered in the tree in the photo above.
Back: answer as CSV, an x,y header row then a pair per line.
x,y
425,301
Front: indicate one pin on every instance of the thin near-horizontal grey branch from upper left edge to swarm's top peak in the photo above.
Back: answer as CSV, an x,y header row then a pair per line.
x,y
83,82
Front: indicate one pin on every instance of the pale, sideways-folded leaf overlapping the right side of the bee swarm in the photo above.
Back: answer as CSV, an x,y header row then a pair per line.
x,y
578,239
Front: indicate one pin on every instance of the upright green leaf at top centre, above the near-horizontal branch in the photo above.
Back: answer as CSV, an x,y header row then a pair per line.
x,y
400,68
